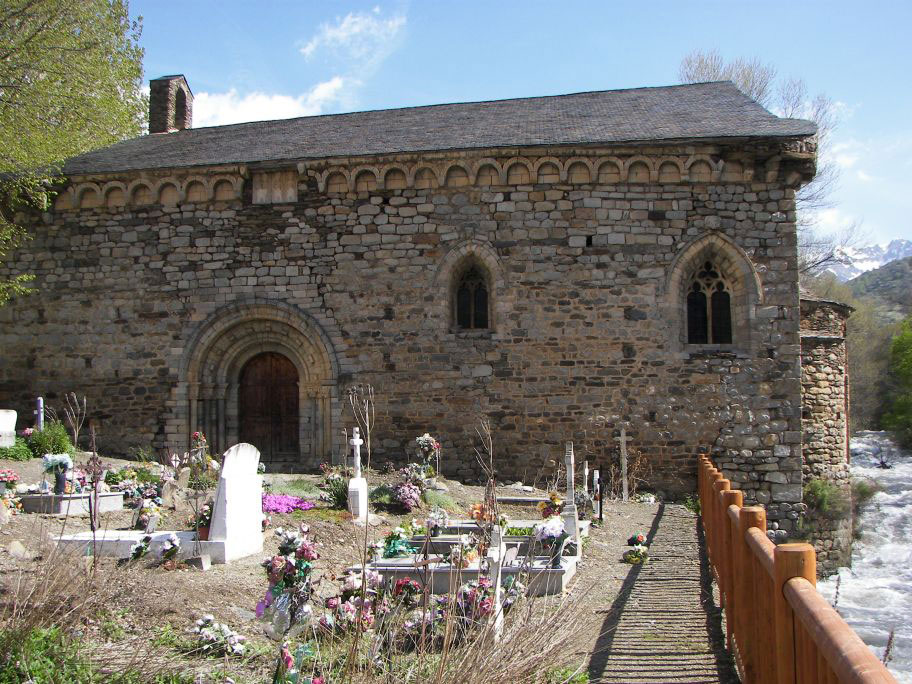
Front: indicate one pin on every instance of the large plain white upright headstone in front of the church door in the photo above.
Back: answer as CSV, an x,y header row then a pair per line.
x,y
237,514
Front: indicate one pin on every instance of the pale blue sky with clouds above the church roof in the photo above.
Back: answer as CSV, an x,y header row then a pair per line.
x,y
249,60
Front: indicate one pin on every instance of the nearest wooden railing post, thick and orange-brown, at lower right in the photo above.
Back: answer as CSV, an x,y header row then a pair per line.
x,y
791,560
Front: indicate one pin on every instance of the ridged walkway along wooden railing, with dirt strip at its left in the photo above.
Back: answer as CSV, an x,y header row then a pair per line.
x,y
662,626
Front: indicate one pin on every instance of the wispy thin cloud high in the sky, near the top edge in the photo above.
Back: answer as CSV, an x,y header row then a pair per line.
x,y
364,38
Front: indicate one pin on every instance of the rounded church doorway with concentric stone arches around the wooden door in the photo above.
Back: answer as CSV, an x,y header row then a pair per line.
x,y
264,373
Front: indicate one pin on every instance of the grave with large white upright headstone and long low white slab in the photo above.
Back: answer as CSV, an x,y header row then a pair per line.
x,y
237,519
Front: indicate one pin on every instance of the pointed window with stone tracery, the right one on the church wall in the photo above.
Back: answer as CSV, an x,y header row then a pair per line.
x,y
709,319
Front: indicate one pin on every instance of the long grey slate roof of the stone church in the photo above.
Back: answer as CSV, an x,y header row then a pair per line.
x,y
684,112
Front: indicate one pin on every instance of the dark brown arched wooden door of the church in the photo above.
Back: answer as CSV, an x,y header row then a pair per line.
x,y
268,403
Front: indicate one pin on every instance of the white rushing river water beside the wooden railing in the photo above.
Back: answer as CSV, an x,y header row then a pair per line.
x,y
875,594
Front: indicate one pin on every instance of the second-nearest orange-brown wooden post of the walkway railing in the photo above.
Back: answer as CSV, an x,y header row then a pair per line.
x,y
753,642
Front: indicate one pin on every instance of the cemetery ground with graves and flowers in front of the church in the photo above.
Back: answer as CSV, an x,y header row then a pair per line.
x,y
536,548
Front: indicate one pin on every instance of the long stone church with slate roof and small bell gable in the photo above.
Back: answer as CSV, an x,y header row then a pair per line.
x,y
564,265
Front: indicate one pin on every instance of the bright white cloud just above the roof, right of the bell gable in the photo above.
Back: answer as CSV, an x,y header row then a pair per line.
x,y
216,109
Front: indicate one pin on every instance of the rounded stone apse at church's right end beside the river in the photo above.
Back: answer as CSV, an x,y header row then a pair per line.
x,y
825,413
